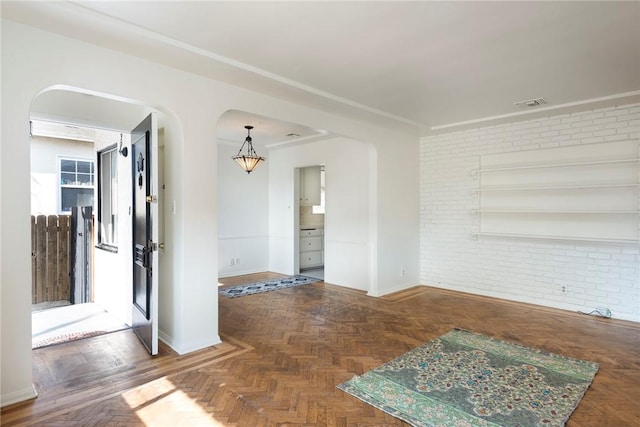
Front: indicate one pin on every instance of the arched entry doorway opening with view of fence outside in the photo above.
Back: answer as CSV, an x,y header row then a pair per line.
x,y
80,167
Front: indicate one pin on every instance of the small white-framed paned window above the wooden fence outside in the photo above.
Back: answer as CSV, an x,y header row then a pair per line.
x,y
76,183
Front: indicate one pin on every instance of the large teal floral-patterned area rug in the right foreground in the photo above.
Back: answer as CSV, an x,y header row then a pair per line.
x,y
466,379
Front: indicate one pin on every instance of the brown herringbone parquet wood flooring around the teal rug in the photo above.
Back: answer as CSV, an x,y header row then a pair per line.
x,y
284,352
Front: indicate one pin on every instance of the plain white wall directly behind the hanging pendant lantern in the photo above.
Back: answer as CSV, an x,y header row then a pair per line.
x,y
243,215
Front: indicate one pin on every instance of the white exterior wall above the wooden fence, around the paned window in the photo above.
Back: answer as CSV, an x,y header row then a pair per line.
x,y
45,158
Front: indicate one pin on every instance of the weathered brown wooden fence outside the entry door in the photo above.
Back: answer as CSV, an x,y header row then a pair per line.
x,y
50,248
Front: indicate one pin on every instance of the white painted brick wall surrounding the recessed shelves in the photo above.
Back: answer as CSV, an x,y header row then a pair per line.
x,y
596,275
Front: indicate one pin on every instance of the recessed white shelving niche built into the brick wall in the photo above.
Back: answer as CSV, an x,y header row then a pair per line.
x,y
582,193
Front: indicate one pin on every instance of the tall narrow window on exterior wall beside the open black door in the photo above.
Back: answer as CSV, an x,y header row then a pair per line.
x,y
108,198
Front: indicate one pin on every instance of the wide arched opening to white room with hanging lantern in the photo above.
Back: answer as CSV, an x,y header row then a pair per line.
x,y
260,231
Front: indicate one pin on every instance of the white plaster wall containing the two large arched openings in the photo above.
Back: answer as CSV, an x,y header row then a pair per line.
x,y
188,294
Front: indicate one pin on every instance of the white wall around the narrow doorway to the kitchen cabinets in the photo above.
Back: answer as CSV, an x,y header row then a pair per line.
x,y
346,233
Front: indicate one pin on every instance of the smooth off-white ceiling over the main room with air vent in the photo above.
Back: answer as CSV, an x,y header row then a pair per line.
x,y
417,65
